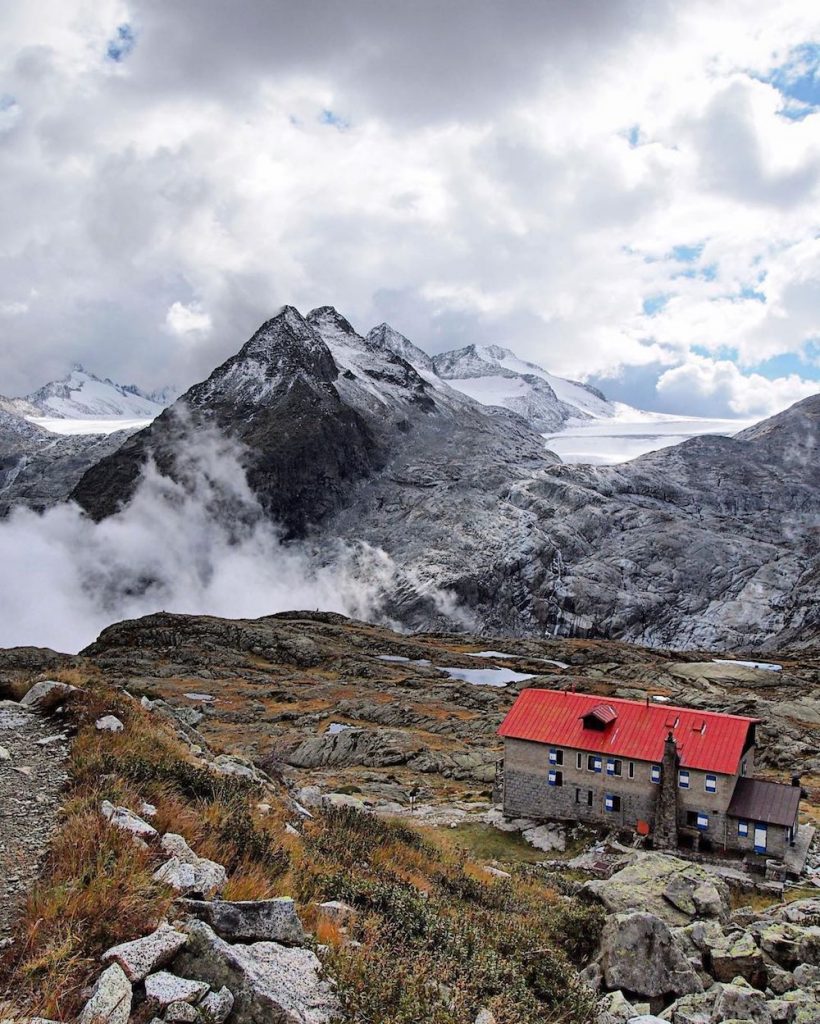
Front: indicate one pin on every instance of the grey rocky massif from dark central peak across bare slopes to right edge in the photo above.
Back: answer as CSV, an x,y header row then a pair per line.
x,y
346,439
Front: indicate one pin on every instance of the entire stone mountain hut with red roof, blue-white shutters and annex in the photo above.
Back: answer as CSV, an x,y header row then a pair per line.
x,y
683,777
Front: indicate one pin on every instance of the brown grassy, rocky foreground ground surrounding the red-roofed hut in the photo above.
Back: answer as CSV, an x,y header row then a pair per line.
x,y
334,737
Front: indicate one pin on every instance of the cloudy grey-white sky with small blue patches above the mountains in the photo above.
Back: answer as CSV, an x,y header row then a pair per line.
x,y
626,193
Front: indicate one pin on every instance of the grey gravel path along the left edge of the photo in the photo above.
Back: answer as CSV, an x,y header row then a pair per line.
x,y
33,752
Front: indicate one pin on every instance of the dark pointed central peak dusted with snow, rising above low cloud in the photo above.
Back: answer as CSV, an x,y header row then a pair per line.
x,y
320,410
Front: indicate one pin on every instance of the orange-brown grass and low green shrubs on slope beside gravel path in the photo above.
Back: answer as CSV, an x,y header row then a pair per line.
x,y
435,936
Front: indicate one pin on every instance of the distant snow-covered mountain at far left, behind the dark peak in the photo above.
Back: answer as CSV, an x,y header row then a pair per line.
x,y
82,396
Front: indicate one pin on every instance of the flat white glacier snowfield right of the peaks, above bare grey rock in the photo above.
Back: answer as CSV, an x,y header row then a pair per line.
x,y
631,434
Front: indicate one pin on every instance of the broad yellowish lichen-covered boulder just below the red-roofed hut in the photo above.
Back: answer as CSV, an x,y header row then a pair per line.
x,y
672,889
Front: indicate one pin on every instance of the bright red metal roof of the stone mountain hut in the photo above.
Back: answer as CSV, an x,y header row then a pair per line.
x,y
707,741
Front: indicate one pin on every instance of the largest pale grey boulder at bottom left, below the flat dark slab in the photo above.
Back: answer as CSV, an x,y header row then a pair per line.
x,y
272,984
